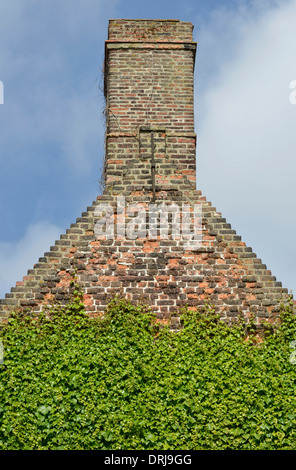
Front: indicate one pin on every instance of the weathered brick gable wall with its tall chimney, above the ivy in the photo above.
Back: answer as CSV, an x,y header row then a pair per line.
x,y
150,158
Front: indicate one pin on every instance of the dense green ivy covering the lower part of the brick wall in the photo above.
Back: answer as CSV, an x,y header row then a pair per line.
x,y
69,381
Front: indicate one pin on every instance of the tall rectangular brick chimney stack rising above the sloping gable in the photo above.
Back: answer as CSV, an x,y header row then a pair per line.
x,y
150,139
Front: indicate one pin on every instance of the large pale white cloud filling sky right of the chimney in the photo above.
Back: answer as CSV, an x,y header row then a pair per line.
x,y
246,130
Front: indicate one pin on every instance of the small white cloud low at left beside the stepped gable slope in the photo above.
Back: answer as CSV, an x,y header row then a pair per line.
x,y
17,258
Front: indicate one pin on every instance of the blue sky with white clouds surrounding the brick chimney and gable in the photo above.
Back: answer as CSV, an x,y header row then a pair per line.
x,y
52,126
